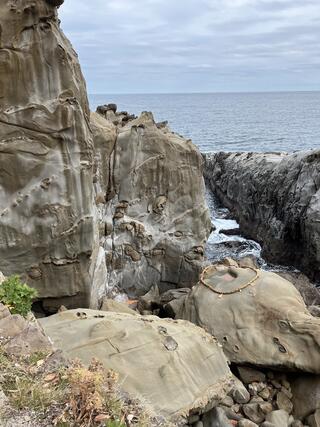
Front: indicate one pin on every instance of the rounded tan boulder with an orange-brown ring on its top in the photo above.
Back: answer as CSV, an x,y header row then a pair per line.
x,y
257,316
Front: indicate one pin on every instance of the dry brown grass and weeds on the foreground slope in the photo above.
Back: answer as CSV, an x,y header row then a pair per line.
x,y
68,396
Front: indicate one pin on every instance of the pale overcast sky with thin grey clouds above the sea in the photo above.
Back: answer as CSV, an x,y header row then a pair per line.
x,y
182,46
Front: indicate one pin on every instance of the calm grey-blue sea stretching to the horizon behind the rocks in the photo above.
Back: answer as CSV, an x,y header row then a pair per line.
x,y
233,122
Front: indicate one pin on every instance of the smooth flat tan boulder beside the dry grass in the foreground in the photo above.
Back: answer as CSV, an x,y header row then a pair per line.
x,y
174,366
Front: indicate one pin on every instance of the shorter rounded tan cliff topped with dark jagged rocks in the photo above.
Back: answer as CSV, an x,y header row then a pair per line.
x,y
154,221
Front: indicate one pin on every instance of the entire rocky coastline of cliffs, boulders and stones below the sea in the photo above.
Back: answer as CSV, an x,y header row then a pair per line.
x,y
105,215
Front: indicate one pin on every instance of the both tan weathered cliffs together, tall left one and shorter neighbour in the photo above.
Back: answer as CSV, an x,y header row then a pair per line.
x,y
77,216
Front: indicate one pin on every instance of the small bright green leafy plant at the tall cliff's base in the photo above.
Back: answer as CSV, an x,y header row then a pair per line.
x,y
17,296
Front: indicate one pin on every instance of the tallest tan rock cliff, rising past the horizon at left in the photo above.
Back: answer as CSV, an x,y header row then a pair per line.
x,y
46,153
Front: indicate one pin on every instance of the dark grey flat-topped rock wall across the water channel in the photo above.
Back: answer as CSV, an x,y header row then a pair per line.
x,y
276,199
